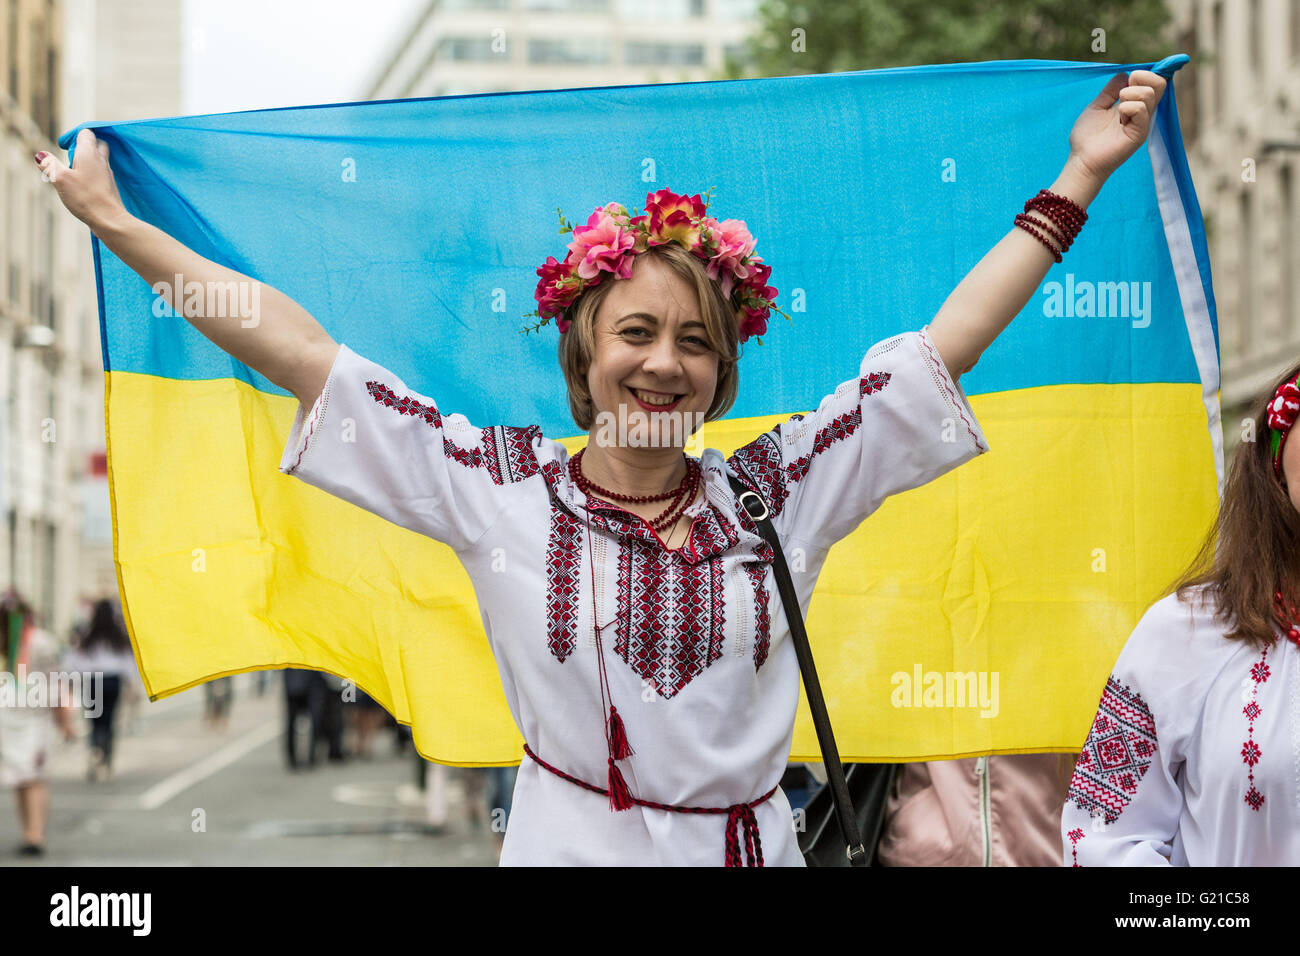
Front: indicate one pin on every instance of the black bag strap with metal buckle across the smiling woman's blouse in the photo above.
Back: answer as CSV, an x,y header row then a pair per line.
x,y
757,511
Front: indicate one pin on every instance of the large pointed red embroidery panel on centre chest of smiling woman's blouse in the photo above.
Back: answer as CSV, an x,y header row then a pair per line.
x,y
671,616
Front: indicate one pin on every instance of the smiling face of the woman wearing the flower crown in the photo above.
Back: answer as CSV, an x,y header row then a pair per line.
x,y
651,339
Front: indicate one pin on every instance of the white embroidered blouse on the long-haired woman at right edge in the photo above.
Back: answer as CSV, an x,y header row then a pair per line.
x,y
1194,756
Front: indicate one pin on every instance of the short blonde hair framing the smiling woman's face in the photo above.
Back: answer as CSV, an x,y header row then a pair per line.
x,y
722,332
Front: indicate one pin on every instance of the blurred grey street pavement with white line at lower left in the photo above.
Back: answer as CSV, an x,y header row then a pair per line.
x,y
184,794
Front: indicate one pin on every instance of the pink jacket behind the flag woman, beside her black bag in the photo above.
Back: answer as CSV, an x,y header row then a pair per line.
x,y
1002,811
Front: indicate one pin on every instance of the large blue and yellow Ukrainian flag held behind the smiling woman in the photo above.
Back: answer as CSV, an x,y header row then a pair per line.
x,y
411,230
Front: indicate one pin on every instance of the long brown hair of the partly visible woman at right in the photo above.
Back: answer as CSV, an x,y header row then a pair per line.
x,y
1254,547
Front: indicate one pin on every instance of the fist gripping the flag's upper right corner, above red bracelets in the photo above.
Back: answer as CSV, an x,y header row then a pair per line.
x,y
1107,135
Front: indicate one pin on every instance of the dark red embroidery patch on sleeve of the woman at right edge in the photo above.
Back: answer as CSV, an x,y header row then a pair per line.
x,y
1117,754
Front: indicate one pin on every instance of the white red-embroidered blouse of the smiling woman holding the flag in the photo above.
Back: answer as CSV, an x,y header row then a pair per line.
x,y
697,652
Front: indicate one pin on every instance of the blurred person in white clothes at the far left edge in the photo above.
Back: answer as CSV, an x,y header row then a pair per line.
x,y
31,657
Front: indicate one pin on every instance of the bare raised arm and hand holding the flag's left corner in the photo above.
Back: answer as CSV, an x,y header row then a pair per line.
x,y
283,341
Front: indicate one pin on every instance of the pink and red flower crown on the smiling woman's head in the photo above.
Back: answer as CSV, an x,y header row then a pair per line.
x,y
612,239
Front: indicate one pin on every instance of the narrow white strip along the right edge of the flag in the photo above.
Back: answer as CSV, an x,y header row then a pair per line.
x,y
1197,310
